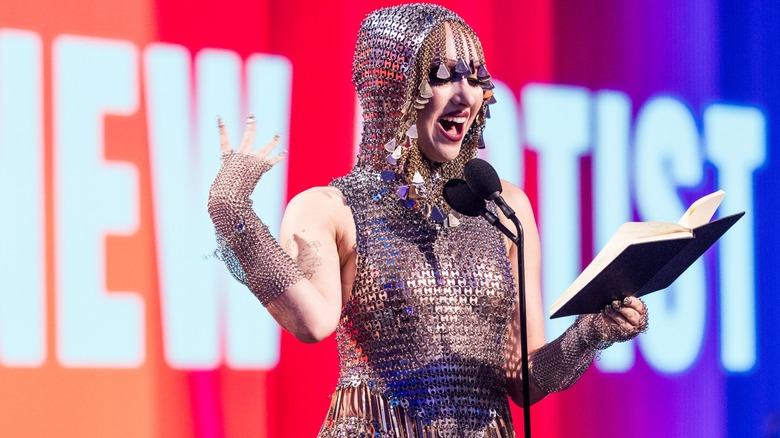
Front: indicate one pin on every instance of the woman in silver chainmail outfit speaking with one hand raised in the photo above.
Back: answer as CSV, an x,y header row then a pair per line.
x,y
423,301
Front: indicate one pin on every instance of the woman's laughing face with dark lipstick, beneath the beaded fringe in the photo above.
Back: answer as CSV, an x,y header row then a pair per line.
x,y
445,119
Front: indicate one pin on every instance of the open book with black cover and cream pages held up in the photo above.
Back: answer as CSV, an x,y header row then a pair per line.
x,y
643,257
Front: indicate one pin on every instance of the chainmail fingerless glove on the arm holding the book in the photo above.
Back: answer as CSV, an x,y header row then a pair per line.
x,y
560,363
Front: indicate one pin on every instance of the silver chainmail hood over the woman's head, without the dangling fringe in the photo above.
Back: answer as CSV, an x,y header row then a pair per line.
x,y
387,77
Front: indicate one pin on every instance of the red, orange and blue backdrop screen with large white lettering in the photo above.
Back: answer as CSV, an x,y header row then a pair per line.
x,y
116,319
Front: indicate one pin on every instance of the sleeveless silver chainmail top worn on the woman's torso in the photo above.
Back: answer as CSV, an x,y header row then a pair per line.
x,y
426,326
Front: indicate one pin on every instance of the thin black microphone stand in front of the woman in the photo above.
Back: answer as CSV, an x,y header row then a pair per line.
x,y
518,240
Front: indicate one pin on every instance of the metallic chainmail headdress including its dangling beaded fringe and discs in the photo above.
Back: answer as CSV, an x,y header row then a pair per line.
x,y
397,52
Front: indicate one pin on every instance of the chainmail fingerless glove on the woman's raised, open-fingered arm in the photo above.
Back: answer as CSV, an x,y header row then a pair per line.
x,y
251,253
